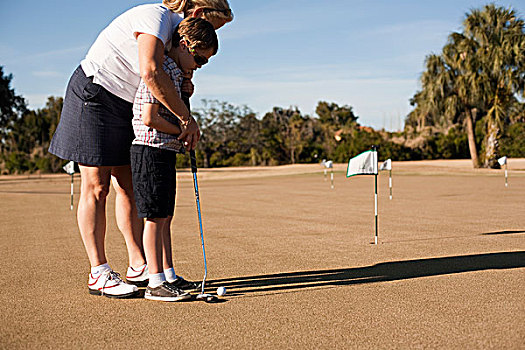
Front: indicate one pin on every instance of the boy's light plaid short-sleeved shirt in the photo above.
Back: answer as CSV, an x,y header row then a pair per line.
x,y
148,136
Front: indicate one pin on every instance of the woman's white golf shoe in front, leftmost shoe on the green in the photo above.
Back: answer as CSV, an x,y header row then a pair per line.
x,y
109,284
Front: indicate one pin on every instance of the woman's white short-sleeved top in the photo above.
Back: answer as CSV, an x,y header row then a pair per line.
x,y
113,59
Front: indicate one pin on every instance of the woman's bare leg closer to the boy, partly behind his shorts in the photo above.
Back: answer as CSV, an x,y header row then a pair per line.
x,y
128,221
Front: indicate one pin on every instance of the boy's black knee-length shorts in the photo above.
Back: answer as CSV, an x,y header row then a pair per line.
x,y
154,181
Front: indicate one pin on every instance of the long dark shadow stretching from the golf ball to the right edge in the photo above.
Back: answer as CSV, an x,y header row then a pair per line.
x,y
389,271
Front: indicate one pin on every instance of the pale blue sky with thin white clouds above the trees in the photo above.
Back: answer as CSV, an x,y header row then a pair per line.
x,y
367,54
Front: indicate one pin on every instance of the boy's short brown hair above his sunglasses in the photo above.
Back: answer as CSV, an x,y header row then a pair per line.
x,y
198,32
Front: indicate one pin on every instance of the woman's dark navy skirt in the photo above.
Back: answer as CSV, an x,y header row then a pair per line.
x,y
95,125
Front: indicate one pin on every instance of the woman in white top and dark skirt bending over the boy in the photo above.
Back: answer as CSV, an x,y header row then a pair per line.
x,y
95,127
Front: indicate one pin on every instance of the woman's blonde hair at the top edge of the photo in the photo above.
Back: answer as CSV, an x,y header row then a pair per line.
x,y
214,9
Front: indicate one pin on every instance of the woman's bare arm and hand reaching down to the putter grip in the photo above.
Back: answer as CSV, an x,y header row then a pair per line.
x,y
151,56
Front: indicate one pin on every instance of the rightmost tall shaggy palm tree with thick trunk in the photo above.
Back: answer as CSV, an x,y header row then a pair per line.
x,y
497,40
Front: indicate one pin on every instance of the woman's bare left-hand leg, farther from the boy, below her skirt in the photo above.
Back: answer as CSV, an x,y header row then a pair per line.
x,y
91,214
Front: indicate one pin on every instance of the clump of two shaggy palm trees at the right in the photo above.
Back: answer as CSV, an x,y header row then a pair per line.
x,y
479,73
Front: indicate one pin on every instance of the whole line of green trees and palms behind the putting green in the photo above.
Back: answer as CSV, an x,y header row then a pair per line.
x,y
470,105
